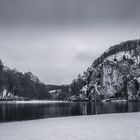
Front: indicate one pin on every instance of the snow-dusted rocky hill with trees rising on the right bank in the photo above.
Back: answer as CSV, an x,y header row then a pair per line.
x,y
116,74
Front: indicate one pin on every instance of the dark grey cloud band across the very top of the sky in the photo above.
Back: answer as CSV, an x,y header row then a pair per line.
x,y
68,11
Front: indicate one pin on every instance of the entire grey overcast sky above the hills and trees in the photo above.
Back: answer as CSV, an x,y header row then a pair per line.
x,y
58,39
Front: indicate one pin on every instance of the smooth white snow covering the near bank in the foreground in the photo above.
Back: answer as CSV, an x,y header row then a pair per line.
x,y
97,127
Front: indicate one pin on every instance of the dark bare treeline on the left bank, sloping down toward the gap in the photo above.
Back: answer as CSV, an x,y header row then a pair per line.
x,y
22,85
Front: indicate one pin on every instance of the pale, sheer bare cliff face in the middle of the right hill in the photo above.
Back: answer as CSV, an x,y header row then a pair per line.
x,y
114,74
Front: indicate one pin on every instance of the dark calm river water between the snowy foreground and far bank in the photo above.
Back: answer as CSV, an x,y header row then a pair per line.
x,y
23,111
